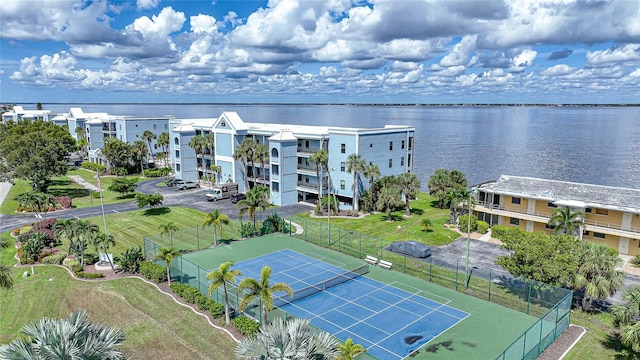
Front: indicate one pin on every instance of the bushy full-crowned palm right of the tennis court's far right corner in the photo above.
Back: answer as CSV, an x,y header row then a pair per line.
x,y
598,273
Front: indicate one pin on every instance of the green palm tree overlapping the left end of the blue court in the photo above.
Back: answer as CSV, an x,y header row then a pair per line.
x,y
252,288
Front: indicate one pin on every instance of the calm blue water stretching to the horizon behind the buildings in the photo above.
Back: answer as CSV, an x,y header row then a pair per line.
x,y
581,144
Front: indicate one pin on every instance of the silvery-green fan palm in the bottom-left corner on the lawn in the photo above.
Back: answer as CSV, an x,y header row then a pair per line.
x,y
71,338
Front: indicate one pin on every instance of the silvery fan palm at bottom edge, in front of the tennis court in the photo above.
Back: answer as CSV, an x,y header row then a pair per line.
x,y
292,339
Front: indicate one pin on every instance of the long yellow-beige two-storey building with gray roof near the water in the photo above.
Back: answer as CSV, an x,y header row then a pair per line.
x,y
612,214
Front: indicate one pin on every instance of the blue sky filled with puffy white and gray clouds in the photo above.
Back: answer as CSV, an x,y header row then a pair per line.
x,y
325,51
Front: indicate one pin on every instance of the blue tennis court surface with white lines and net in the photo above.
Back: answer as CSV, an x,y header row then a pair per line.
x,y
389,322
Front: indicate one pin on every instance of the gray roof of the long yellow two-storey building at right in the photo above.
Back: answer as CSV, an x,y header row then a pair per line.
x,y
607,197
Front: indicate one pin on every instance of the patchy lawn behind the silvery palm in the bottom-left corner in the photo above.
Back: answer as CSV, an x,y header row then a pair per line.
x,y
155,327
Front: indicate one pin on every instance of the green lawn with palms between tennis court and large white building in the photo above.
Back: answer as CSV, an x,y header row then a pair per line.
x,y
403,228
